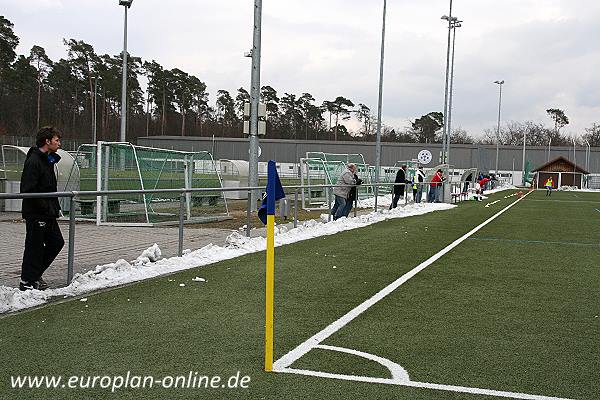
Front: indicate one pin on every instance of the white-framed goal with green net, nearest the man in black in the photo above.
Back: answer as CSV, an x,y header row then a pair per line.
x,y
124,166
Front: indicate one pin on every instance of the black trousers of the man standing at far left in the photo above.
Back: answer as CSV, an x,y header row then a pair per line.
x,y
43,242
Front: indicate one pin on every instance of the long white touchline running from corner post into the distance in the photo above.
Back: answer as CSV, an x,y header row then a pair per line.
x,y
316,339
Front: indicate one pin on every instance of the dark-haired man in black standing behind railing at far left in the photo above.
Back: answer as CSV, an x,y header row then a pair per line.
x,y
43,240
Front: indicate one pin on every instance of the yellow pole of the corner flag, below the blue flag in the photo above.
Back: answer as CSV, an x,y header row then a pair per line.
x,y
270,284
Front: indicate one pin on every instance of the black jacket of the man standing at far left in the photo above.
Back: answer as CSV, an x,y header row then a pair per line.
x,y
38,177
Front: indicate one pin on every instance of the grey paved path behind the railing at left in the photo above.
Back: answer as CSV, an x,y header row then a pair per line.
x,y
95,246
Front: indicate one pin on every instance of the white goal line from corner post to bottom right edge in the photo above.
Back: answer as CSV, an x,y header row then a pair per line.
x,y
423,385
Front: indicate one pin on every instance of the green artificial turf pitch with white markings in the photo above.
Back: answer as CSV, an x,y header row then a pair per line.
x,y
514,308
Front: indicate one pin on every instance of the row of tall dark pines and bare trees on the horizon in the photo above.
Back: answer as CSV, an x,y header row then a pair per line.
x,y
70,92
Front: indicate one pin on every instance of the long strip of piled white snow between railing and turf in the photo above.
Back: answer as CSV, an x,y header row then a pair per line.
x,y
149,264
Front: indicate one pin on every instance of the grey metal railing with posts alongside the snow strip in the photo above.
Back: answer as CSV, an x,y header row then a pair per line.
x,y
73,195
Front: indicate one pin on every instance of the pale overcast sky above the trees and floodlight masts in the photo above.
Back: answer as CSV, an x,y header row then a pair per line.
x,y
546,51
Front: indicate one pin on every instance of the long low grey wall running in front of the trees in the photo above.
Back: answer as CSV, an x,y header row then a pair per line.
x,y
482,157
